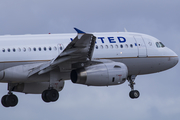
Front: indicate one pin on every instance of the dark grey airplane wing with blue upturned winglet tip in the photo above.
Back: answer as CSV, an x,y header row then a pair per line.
x,y
80,50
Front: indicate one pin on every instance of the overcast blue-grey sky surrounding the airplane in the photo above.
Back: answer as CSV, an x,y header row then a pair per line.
x,y
159,99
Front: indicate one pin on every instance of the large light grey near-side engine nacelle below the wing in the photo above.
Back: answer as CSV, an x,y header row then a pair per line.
x,y
104,74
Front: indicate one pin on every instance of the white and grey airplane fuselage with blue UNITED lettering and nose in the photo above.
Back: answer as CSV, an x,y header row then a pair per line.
x,y
141,53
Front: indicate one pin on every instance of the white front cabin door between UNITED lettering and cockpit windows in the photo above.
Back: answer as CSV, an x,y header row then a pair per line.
x,y
142,50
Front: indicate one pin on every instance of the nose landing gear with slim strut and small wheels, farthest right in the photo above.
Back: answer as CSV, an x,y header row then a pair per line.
x,y
133,93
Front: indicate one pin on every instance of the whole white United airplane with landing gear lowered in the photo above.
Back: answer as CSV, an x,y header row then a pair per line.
x,y
39,64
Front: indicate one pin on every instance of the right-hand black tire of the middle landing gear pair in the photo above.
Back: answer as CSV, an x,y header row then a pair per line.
x,y
53,95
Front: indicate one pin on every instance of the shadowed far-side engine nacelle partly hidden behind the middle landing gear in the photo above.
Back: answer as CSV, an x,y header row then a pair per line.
x,y
37,88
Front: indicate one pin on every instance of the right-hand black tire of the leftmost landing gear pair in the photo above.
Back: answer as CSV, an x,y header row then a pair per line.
x,y
12,100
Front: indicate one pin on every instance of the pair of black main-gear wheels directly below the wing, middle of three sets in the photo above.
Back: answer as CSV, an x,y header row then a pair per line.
x,y
50,95
